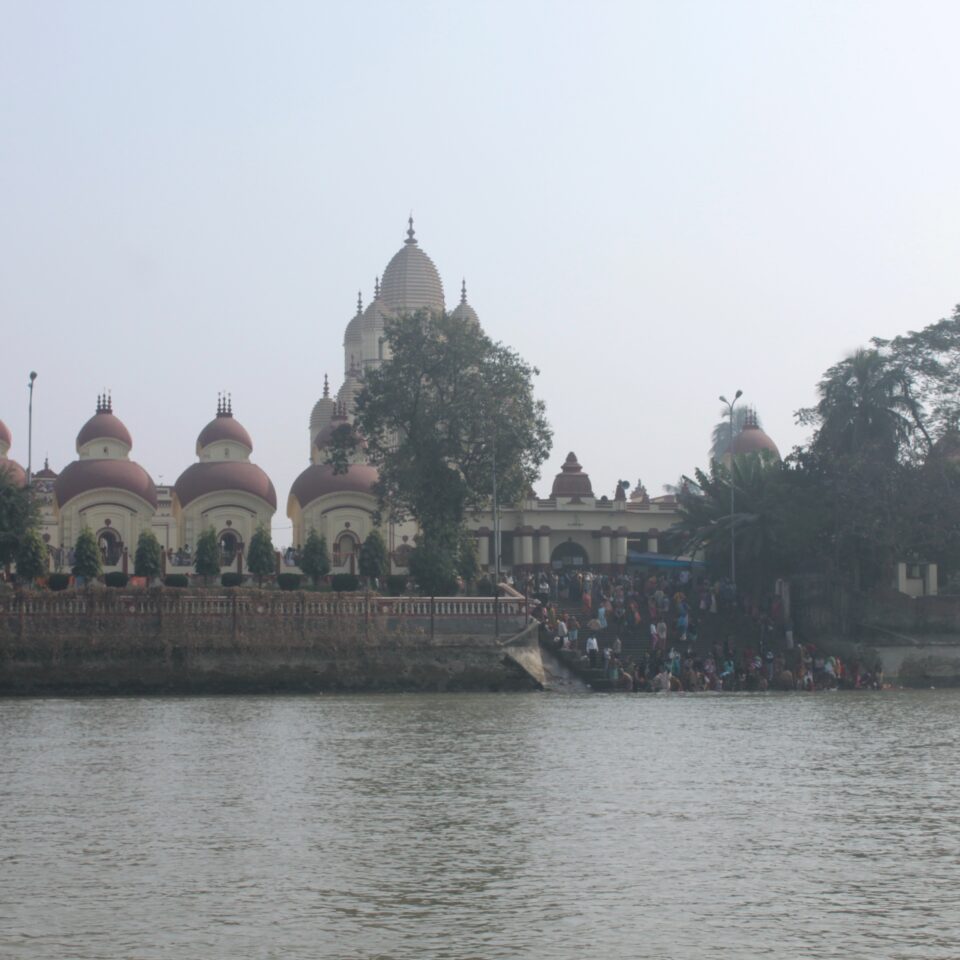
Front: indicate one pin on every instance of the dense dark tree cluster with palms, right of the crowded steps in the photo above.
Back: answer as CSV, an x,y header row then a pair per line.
x,y
879,480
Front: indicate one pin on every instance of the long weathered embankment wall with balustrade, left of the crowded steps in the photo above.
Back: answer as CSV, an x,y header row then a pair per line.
x,y
250,641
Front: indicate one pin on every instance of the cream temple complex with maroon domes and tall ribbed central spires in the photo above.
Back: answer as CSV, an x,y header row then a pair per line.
x,y
103,489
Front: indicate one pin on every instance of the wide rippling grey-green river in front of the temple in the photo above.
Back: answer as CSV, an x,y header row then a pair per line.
x,y
511,826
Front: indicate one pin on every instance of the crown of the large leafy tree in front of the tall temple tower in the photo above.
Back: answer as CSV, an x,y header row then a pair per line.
x,y
448,406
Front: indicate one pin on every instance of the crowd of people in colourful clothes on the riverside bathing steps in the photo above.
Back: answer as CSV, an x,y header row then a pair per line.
x,y
676,631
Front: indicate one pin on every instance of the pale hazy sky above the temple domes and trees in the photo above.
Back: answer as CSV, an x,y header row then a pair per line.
x,y
654,202
